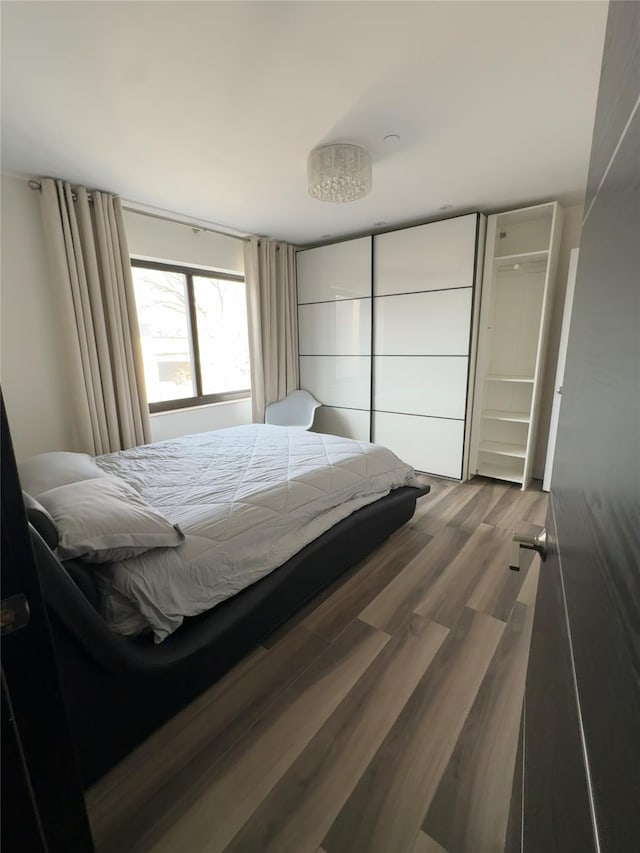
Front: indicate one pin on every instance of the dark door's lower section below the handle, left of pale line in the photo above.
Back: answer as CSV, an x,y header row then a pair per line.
x,y
556,804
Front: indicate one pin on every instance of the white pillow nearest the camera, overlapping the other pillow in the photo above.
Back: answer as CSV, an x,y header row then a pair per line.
x,y
105,520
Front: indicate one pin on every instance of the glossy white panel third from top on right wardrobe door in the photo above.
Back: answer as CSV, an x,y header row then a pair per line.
x,y
431,385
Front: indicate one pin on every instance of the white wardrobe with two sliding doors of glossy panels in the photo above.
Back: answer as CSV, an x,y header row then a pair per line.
x,y
387,330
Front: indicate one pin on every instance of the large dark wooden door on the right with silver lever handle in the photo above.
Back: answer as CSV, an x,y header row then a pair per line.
x,y
582,707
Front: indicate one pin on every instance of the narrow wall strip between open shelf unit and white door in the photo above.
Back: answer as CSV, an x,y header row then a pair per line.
x,y
571,230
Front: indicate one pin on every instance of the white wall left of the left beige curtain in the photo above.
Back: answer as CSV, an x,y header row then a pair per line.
x,y
31,351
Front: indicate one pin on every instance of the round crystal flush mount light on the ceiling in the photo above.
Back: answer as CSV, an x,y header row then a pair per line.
x,y
339,173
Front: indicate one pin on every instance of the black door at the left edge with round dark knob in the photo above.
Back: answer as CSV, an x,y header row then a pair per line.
x,y
42,801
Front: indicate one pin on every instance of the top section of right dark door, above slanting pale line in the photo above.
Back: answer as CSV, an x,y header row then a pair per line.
x,y
618,87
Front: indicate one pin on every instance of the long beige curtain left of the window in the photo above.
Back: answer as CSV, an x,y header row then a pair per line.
x,y
92,274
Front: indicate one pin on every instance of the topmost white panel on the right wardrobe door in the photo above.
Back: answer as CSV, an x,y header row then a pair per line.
x,y
426,257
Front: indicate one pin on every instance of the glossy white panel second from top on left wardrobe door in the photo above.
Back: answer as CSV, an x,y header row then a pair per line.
x,y
335,328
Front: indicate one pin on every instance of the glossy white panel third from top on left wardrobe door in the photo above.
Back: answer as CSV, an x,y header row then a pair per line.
x,y
338,380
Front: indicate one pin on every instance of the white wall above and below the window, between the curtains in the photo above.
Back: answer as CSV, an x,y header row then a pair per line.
x,y
157,239
